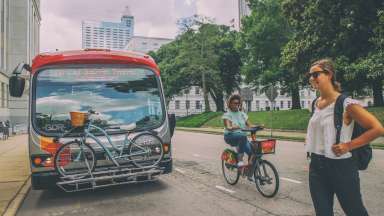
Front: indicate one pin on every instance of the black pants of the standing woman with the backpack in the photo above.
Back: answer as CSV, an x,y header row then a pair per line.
x,y
328,177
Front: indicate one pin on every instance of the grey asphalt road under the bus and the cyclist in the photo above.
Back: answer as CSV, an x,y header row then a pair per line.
x,y
196,187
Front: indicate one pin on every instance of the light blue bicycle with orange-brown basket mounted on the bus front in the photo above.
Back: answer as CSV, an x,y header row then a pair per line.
x,y
77,159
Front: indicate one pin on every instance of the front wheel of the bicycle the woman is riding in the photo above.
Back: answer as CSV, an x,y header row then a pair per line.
x,y
266,178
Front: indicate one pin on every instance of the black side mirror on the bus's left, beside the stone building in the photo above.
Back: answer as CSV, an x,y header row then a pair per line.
x,y
17,83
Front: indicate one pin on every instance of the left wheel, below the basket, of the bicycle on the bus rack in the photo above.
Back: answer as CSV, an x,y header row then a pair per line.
x,y
75,160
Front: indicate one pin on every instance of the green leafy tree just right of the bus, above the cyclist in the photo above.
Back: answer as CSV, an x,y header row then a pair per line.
x,y
201,48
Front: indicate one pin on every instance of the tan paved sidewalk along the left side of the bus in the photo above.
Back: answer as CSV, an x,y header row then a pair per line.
x,y
14,173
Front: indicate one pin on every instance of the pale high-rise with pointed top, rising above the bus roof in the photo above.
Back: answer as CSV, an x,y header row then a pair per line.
x,y
108,35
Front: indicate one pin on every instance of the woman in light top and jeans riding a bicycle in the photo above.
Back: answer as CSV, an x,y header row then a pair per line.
x,y
234,121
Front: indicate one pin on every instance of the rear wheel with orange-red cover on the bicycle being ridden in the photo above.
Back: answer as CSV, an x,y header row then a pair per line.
x,y
229,166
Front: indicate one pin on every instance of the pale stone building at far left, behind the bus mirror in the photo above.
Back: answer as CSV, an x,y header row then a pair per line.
x,y
19,42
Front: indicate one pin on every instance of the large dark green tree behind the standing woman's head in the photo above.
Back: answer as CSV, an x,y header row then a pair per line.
x,y
340,29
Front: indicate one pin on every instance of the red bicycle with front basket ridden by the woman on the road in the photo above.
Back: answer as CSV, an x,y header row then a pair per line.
x,y
259,170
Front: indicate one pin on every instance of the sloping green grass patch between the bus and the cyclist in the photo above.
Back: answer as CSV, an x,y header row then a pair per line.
x,y
196,120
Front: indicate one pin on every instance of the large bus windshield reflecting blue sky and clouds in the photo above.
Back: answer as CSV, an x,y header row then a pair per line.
x,y
121,96
